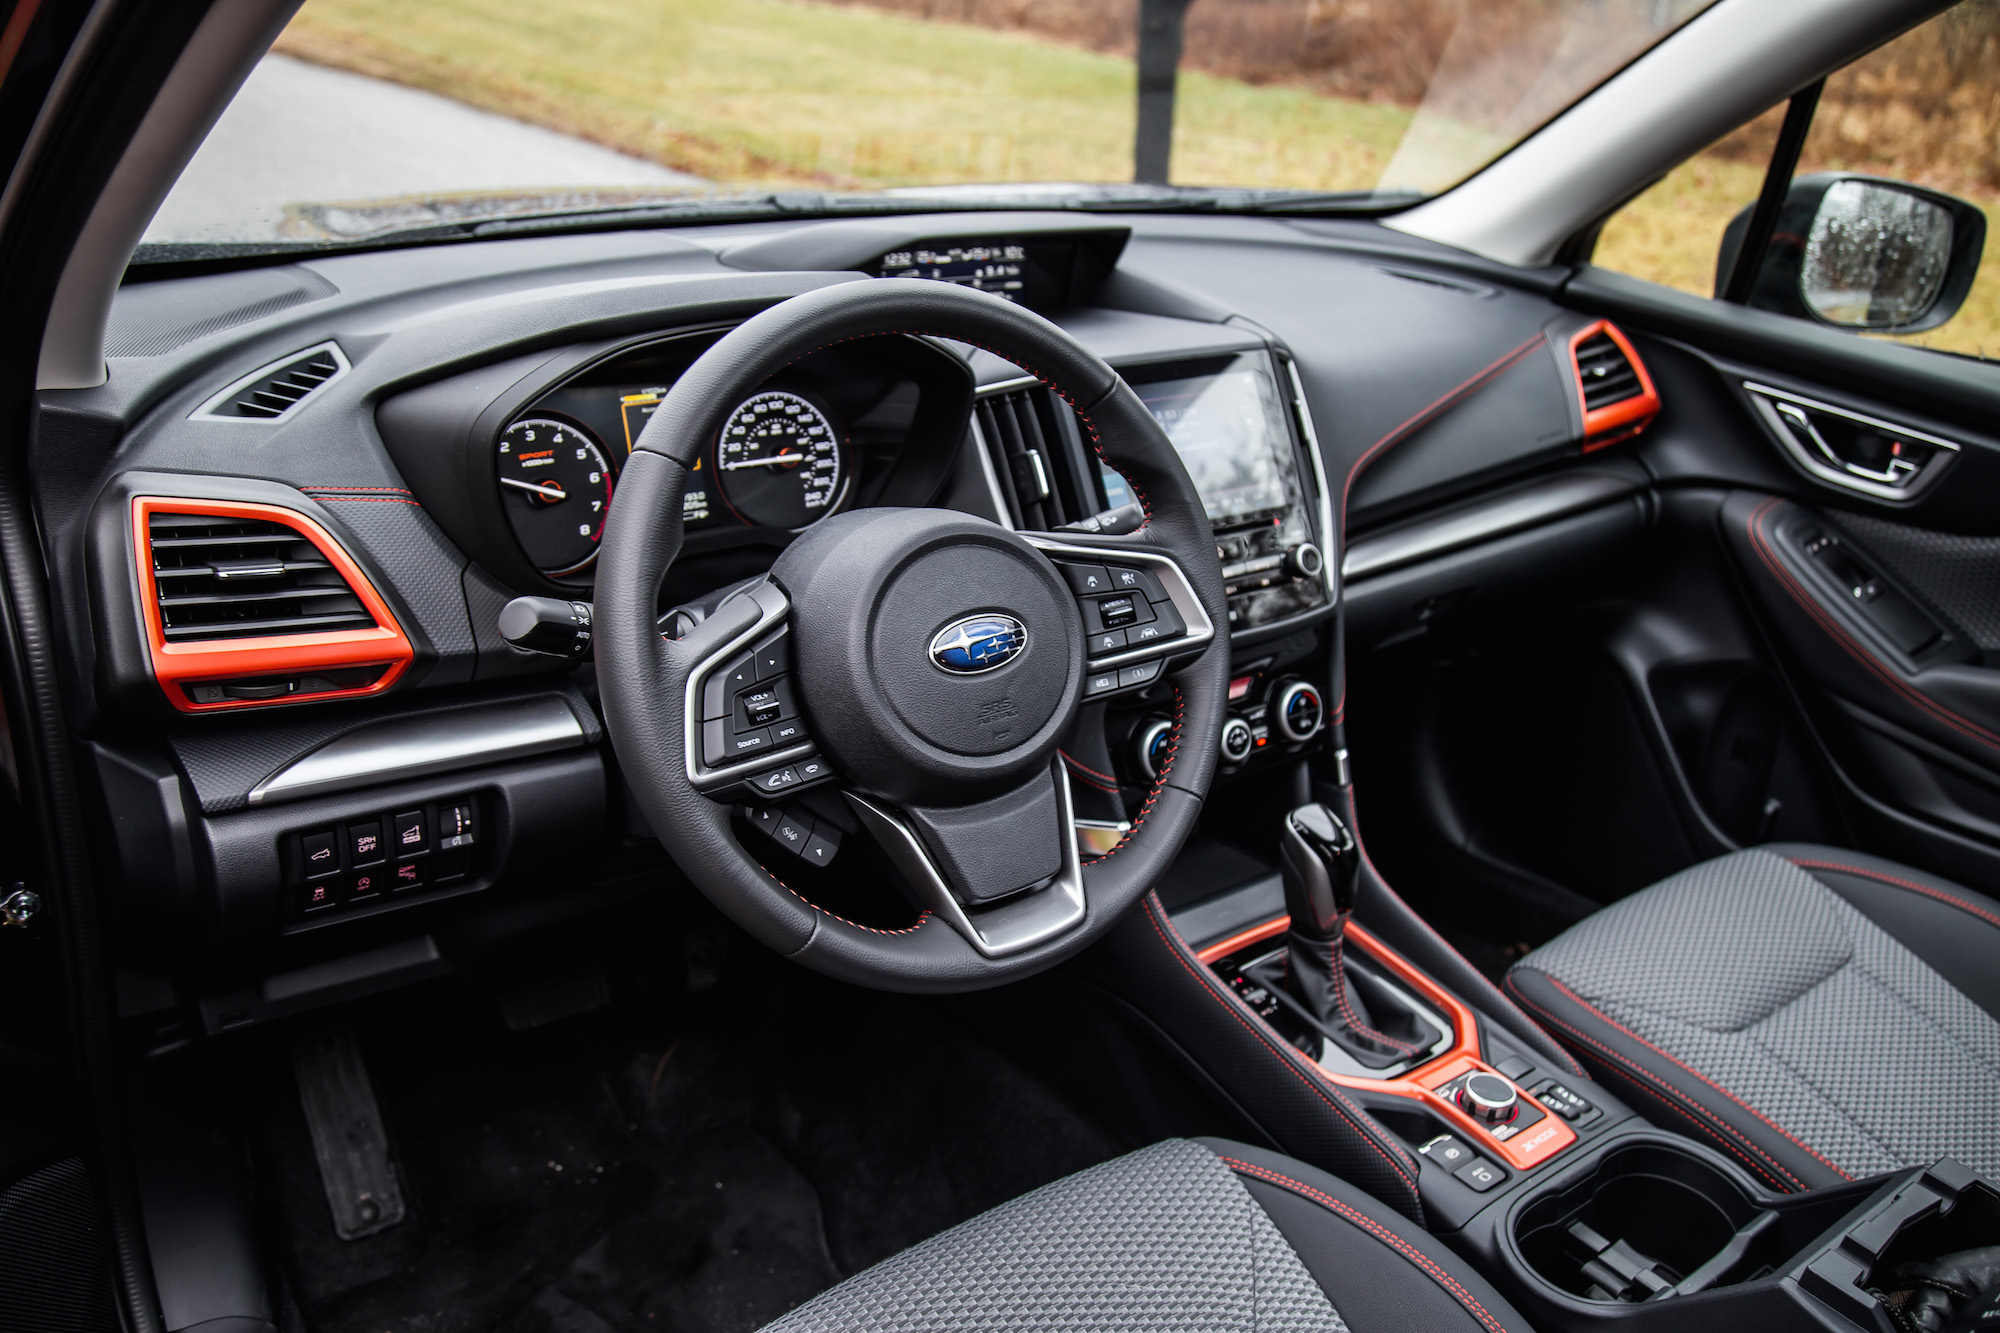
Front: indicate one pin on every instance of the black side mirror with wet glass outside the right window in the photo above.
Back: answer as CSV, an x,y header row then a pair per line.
x,y
1863,253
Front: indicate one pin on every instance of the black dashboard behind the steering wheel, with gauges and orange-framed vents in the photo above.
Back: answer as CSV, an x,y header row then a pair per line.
x,y
285,537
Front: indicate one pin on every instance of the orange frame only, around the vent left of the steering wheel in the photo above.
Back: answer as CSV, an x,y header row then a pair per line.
x,y
179,665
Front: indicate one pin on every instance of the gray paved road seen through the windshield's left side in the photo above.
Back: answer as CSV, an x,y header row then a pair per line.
x,y
303,135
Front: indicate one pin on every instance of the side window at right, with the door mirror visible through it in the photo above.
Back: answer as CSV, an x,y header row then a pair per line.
x,y
1867,201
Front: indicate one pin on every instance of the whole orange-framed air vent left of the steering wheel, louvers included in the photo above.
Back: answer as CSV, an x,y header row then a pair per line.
x,y
251,605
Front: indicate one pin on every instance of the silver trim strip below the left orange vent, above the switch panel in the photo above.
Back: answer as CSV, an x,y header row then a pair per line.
x,y
411,748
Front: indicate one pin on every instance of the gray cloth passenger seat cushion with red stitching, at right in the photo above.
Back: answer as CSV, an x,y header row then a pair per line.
x,y
1815,1014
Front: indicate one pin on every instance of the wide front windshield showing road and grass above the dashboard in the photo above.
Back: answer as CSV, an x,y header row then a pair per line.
x,y
379,117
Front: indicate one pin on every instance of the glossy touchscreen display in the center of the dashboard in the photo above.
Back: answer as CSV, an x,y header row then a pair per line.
x,y
1229,427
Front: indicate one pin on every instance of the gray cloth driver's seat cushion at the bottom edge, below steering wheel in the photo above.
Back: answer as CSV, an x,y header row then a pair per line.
x,y
1201,1236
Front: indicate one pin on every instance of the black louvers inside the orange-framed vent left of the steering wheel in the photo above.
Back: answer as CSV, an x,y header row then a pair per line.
x,y
245,577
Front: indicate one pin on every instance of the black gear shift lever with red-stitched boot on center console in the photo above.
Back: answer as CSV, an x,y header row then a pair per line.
x,y
1323,874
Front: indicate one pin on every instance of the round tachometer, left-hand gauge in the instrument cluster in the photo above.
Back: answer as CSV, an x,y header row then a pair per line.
x,y
557,487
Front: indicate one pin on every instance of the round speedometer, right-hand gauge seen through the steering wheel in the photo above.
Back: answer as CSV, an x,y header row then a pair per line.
x,y
779,461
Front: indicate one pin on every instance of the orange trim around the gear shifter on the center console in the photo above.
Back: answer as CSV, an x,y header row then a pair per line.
x,y
1523,1152
